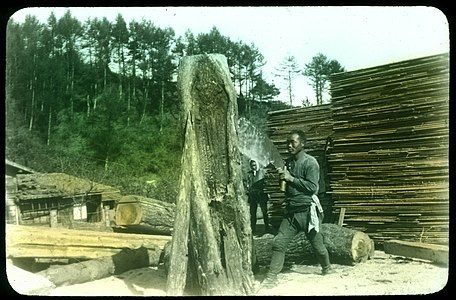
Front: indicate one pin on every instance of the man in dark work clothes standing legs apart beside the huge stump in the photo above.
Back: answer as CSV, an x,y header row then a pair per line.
x,y
301,174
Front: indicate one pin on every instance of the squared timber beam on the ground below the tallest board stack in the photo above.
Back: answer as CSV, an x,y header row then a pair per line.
x,y
435,253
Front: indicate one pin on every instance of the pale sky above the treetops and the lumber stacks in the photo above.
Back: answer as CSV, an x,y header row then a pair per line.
x,y
357,37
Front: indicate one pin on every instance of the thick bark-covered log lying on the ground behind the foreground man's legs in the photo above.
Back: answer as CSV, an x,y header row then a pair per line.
x,y
345,246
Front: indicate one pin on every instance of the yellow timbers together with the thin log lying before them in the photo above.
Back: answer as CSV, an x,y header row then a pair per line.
x,y
101,254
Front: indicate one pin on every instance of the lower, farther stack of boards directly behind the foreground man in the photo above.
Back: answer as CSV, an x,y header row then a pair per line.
x,y
316,122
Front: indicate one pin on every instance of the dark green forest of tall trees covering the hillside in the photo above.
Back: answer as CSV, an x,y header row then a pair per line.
x,y
97,99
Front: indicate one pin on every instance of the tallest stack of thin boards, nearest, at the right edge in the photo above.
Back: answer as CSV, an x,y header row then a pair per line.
x,y
389,158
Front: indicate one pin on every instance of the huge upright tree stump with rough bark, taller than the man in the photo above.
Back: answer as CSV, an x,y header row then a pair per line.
x,y
212,239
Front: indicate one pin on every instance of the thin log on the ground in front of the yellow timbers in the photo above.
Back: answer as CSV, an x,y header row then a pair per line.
x,y
126,259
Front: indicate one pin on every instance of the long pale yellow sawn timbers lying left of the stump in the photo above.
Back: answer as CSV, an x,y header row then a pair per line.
x,y
45,242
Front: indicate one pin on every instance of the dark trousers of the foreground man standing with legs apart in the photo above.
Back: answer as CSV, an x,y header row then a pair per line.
x,y
290,226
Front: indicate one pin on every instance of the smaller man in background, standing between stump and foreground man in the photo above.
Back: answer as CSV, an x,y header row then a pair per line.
x,y
256,195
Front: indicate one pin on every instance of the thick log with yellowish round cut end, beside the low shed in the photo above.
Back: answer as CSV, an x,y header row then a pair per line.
x,y
141,214
